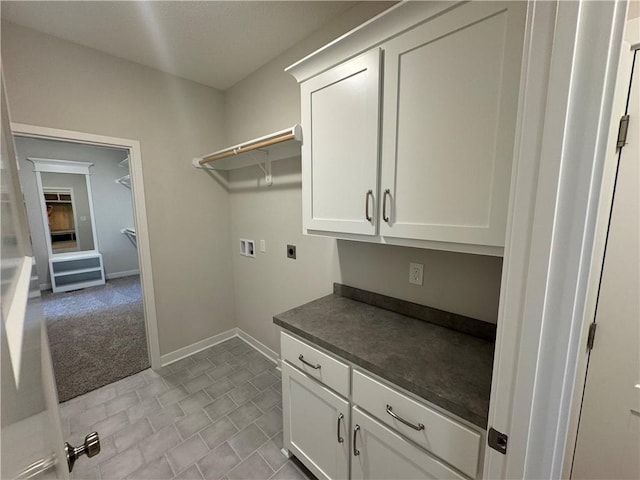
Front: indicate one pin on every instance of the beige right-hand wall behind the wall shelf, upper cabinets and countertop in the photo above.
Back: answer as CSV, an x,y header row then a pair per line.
x,y
267,101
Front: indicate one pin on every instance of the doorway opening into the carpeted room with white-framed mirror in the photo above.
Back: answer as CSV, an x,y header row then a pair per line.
x,y
97,294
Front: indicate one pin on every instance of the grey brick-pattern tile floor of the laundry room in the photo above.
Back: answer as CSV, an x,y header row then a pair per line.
x,y
214,415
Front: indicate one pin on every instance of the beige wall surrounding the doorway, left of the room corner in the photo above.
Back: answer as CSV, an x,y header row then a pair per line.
x,y
58,84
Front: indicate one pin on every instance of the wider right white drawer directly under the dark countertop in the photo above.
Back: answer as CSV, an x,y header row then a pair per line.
x,y
444,437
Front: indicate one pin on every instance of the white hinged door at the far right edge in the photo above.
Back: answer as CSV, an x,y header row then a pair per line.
x,y
608,443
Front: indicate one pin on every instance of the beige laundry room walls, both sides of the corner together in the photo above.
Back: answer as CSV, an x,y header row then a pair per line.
x,y
203,286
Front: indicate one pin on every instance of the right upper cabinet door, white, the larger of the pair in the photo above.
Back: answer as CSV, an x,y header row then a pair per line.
x,y
450,102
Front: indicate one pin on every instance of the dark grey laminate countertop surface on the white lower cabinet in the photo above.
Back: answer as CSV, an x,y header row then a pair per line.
x,y
445,367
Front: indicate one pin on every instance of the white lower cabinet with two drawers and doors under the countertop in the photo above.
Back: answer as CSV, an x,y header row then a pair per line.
x,y
340,418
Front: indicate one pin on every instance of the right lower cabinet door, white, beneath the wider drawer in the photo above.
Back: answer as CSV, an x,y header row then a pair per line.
x,y
379,453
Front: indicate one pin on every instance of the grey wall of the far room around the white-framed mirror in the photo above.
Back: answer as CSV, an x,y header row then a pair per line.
x,y
112,203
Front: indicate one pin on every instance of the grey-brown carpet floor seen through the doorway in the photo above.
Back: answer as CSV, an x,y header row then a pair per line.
x,y
97,335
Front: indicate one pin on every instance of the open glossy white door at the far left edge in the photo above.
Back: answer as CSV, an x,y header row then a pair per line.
x,y
32,440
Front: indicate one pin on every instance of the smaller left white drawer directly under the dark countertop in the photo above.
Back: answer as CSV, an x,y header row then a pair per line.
x,y
316,364
